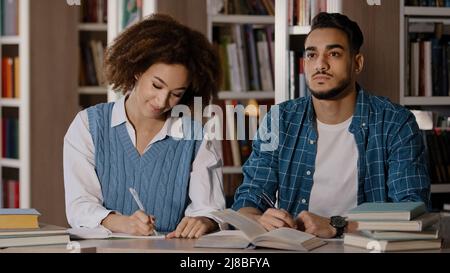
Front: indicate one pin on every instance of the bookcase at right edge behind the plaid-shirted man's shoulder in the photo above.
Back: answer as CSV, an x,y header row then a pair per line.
x,y
425,82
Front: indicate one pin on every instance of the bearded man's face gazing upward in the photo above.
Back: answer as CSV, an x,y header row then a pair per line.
x,y
329,63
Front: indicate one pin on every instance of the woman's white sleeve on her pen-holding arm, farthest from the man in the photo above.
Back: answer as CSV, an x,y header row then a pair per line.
x,y
84,197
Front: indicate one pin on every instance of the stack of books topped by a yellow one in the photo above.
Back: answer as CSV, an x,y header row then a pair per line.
x,y
20,227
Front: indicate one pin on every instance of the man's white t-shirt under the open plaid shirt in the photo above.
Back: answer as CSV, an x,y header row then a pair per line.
x,y
335,187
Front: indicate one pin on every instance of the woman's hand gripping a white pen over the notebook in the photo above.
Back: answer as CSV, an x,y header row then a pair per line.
x,y
139,223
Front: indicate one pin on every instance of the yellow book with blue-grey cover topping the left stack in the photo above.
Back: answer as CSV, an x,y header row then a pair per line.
x,y
19,218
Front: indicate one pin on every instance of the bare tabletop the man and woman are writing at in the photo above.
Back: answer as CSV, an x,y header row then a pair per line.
x,y
173,246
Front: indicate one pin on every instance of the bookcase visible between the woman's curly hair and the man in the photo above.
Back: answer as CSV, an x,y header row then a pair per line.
x,y
242,33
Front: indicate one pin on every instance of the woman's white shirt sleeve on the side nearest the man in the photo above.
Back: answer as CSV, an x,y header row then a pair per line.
x,y
206,185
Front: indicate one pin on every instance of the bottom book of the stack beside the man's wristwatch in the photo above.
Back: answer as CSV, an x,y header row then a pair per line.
x,y
358,240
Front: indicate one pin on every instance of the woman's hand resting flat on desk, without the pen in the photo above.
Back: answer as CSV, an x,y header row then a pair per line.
x,y
193,227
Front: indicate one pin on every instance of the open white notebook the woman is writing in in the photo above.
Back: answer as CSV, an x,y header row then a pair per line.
x,y
104,233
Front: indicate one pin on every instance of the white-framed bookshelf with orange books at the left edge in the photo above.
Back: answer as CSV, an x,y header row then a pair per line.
x,y
14,104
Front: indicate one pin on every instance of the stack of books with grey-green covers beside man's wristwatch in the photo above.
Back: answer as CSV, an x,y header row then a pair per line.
x,y
388,227
